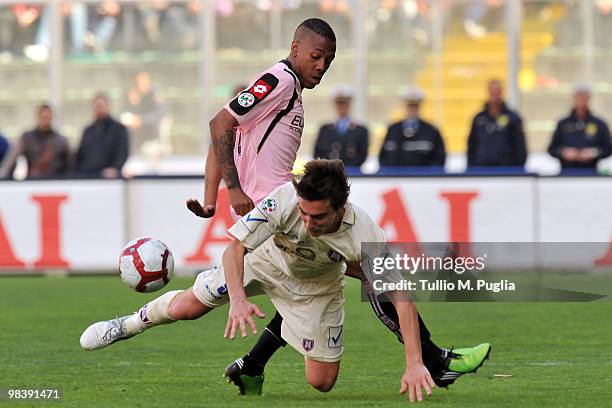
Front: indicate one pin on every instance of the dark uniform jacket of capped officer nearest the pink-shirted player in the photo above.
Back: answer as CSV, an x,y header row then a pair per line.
x,y
350,146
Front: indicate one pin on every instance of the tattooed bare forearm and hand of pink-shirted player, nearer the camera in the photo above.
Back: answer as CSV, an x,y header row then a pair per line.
x,y
223,134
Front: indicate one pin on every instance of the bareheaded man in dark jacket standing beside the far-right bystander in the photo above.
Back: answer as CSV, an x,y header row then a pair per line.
x,y
496,137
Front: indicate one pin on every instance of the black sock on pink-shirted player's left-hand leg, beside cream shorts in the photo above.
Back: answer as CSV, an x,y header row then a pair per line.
x,y
269,342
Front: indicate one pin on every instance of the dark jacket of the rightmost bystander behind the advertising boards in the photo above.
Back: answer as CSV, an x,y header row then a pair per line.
x,y
591,132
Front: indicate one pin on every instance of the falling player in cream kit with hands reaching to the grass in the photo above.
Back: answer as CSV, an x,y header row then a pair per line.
x,y
295,246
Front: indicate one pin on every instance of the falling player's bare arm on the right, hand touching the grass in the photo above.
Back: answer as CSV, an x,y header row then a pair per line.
x,y
416,375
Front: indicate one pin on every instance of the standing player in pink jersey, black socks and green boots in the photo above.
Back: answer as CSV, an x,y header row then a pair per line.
x,y
255,138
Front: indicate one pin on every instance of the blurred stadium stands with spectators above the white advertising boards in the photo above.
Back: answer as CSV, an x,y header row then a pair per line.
x,y
101,89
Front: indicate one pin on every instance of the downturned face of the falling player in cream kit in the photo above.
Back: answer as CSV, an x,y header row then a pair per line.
x,y
319,217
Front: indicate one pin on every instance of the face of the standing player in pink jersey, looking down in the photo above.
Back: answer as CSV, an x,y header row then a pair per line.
x,y
313,56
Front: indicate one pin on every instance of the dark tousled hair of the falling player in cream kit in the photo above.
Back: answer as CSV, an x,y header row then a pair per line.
x,y
324,180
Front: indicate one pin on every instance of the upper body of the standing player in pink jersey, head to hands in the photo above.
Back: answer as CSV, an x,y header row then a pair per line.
x,y
255,137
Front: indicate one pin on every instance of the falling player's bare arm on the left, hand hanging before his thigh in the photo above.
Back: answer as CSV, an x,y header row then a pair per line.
x,y
241,310
